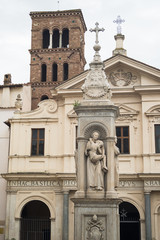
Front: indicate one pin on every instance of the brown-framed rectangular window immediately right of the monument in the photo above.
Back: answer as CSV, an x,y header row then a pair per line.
x,y
123,139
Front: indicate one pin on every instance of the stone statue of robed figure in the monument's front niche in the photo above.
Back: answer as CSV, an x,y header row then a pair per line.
x,y
96,162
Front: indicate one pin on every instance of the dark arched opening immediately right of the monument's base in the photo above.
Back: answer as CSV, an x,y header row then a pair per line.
x,y
129,222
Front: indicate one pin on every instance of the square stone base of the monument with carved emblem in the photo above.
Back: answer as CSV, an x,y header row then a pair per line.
x,y
96,219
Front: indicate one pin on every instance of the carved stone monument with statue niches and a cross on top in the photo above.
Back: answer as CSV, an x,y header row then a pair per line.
x,y
96,202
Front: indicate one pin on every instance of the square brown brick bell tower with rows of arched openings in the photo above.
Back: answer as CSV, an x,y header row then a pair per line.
x,y
57,50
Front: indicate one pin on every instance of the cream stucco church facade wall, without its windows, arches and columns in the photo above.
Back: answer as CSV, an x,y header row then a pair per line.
x,y
135,90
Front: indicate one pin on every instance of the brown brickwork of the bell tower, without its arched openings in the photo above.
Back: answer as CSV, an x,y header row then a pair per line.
x,y
73,55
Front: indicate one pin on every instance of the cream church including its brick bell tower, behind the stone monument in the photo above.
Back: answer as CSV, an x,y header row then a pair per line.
x,y
41,176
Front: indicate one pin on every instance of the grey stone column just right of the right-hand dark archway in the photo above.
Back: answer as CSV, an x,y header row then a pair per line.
x,y
148,215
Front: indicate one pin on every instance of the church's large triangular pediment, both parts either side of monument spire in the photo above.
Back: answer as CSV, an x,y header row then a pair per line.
x,y
122,70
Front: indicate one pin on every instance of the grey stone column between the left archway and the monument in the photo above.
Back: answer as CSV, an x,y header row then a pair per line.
x,y
65,215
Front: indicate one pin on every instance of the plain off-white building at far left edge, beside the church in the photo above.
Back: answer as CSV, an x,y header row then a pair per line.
x,y
8,94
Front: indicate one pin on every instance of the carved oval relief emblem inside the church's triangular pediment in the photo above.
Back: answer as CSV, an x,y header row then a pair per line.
x,y
121,78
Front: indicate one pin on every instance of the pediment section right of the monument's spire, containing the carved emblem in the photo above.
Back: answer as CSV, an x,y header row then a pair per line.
x,y
123,71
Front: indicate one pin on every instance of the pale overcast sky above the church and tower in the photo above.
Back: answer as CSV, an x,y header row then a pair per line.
x,y
141,29
